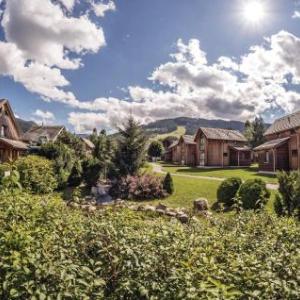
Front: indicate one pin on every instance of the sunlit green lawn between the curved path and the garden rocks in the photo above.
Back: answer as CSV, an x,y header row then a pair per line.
x,y
188,189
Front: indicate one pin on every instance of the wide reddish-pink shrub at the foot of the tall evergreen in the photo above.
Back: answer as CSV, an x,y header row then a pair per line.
x,y
143,187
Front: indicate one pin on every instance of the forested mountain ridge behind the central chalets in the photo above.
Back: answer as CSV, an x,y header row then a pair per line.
x,y
190,124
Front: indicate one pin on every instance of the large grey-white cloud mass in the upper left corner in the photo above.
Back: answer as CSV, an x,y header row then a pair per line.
x,y
39,41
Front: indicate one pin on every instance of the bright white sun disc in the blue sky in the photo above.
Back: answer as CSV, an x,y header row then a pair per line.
x,y
254,12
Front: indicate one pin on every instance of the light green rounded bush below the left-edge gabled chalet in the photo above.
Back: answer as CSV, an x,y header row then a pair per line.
x,y
36,174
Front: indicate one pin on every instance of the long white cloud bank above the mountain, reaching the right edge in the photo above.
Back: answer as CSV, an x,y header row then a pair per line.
x,y
189,86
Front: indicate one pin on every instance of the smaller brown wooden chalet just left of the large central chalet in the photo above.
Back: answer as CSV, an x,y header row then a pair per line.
x,y
183,151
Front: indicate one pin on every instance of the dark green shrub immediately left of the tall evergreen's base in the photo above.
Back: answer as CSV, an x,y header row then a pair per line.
x,y
92,170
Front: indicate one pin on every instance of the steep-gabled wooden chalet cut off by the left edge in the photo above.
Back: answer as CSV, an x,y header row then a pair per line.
x,y
11,146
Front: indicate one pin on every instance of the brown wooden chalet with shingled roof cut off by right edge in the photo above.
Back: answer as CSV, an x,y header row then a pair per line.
x,y
282,148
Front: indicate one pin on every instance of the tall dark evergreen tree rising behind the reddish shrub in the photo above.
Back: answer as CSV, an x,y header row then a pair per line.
x,y
131,146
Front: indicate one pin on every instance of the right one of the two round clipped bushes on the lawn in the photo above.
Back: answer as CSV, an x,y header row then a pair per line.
x,y
254,194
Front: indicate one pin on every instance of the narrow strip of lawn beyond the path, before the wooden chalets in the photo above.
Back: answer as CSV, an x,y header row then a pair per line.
x,y
243,173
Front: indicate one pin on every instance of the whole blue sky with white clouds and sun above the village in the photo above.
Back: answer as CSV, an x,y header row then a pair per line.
x,y
92,63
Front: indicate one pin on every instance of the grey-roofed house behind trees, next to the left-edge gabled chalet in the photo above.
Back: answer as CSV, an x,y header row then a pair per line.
x,y
39,135
